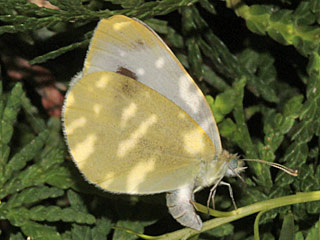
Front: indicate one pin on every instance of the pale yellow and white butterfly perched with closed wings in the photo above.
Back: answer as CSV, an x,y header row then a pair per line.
x,y
135,122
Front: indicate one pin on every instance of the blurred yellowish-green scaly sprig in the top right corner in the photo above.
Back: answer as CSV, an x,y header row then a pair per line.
x,y
280,25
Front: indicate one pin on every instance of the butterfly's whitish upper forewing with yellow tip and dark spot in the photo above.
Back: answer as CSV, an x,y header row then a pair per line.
x,y
129,47
